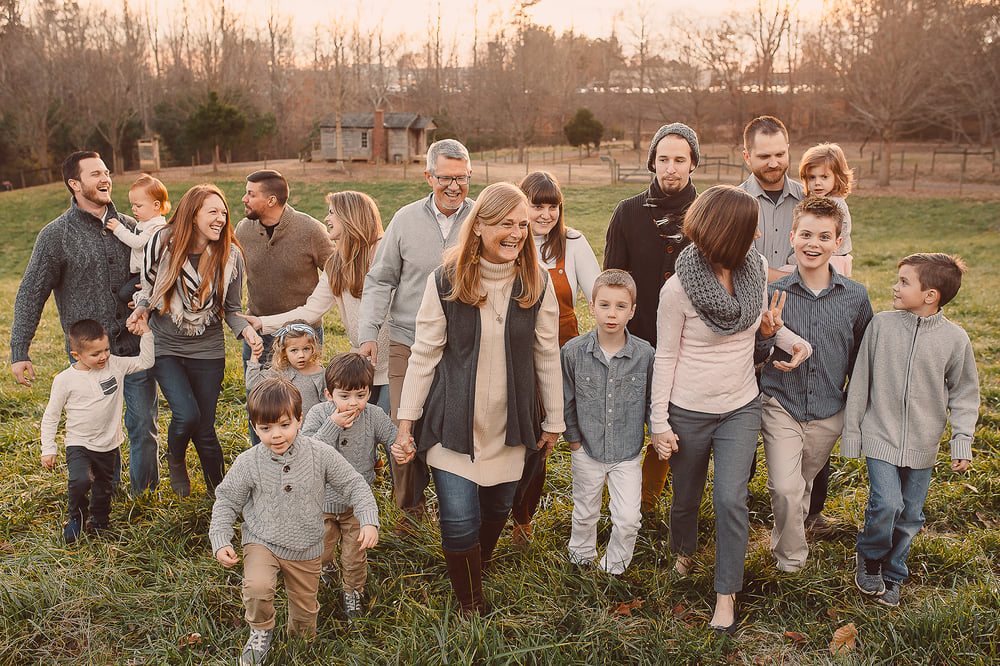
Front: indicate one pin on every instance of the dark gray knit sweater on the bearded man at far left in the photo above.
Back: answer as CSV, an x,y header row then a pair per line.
x,y
84,264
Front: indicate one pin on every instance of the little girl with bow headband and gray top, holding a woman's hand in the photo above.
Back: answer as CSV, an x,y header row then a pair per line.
x,y
296,357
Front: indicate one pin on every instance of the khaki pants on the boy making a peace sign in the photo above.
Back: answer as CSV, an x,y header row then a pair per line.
x,y
795,453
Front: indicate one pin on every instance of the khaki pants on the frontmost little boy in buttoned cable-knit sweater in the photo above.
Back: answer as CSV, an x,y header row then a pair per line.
x,y
260,579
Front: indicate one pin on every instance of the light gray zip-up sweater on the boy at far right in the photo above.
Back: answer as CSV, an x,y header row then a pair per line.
x,y
911,374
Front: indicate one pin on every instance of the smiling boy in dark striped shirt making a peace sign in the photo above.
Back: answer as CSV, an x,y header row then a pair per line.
x,y
803,409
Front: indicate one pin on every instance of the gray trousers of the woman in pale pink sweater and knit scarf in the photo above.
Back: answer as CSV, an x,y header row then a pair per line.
x,y
730,439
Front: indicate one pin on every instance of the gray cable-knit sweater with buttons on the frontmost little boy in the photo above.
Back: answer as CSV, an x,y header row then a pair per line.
x,y
281,498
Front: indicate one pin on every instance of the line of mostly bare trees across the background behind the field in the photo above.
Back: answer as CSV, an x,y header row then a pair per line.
x,y
213,83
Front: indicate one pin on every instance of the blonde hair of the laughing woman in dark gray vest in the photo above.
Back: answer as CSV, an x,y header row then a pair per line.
x,y
461,262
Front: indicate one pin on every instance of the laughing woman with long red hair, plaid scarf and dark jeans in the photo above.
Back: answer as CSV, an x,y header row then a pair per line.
x,y
192,280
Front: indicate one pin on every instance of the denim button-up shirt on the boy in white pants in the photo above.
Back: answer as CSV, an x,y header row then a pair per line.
x,y
607,405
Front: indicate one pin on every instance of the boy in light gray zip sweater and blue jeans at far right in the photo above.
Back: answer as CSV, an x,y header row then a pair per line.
x,y
915,372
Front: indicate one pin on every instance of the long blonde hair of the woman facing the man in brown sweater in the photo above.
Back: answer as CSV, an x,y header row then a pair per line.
x,y
362,228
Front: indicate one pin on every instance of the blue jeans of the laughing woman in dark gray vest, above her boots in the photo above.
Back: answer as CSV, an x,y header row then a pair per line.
x,y
464,505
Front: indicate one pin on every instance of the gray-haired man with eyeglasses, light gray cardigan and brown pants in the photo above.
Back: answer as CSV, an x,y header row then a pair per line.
x,y
411,249
